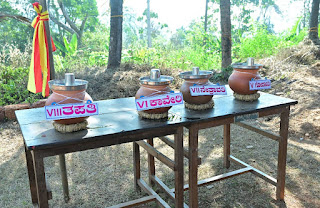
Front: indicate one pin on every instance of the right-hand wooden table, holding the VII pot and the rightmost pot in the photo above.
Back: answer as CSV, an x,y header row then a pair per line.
x,y
226,111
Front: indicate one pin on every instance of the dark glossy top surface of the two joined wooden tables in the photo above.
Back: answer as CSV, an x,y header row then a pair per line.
x,y
119,117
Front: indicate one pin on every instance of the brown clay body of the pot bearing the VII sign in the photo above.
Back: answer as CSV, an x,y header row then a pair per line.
x,y
185,90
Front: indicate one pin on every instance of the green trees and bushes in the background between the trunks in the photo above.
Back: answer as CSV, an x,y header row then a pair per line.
x,y
86,43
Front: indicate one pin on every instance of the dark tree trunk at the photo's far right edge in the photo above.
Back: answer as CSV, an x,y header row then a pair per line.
x,y
313,30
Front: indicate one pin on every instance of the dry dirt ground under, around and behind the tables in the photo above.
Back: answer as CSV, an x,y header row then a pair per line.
x,y
104,177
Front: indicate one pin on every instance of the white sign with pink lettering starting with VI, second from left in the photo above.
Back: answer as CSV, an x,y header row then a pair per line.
x,y
159,101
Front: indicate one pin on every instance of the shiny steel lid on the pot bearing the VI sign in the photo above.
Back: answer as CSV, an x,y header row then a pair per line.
x,y
156,78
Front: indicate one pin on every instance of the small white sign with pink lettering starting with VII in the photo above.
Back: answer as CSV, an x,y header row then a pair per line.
x,y
198,90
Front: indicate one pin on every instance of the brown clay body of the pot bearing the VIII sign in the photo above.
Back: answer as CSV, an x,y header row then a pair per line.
x,y
57,96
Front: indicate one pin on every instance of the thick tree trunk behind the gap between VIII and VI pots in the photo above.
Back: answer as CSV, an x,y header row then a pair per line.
x,y
115,43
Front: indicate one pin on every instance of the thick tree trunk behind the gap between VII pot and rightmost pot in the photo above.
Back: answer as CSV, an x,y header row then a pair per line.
x,y
225,33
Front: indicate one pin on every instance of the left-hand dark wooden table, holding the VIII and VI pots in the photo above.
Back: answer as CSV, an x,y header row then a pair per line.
x,y
117,123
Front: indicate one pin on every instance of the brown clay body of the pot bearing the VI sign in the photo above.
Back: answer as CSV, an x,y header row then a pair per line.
x,y
153,90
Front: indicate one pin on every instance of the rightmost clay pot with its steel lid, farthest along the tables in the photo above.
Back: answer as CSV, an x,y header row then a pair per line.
x,y
242,74
